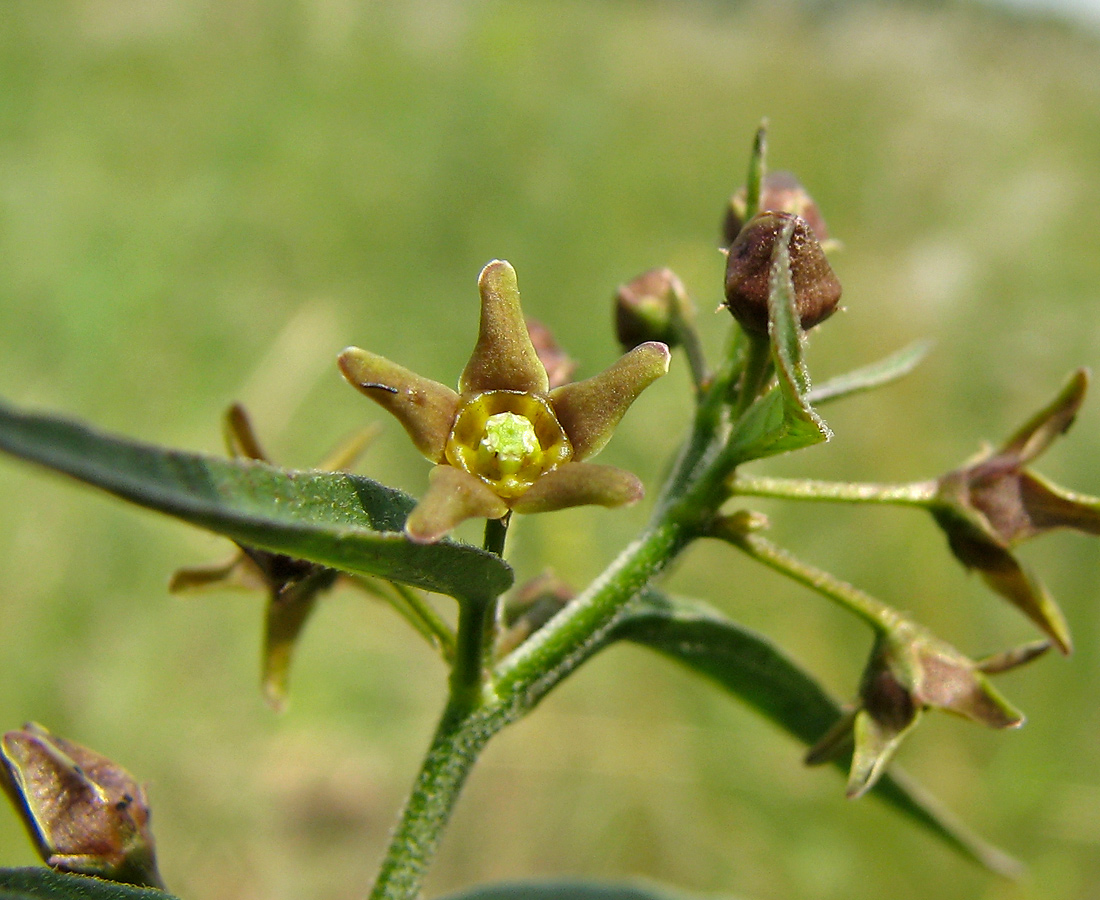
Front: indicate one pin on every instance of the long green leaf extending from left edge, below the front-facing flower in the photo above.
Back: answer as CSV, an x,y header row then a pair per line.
x,y
346,522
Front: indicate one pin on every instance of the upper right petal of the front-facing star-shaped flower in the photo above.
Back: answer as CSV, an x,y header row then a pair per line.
x,y
589,411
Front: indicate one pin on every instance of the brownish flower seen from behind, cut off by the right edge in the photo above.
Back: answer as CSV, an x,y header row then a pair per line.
x,y
994,503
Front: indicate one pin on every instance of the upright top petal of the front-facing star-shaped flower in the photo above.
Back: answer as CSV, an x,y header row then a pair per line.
x,y
504,358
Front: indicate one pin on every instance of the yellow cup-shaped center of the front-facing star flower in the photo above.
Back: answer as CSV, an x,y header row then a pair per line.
x,y
508,440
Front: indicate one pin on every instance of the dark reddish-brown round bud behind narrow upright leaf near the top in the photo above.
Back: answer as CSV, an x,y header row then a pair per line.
x,y
750,267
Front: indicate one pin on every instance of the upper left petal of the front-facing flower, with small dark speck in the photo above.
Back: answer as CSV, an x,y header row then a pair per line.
x,y
426,409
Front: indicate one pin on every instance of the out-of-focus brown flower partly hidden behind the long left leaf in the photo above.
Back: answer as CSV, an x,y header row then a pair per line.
x,y
293,586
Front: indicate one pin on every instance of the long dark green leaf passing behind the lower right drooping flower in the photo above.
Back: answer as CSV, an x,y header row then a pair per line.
x,y
755,671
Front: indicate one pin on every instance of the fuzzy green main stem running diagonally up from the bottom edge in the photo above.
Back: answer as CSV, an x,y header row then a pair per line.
x,y
481,704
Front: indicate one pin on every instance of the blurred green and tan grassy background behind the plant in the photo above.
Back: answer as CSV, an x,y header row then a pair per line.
x,y
205,202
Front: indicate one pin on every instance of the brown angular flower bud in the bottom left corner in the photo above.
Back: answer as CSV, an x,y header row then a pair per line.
x,y
84,814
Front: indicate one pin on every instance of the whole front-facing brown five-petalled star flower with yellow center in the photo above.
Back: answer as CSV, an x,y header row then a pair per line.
x,y
504,441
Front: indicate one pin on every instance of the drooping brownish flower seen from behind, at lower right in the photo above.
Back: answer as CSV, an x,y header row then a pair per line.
x,y
910,672
